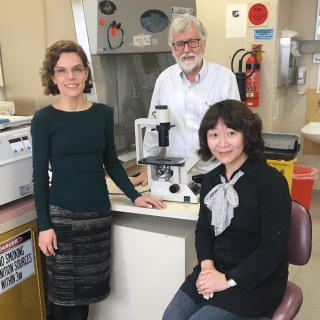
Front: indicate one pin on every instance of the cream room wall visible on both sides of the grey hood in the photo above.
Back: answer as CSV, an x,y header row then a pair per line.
x,y
28,27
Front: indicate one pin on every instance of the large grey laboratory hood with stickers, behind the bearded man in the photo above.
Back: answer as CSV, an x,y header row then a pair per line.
x,y
126,42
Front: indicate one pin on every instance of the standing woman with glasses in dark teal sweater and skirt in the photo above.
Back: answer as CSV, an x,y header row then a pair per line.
x,y
76,137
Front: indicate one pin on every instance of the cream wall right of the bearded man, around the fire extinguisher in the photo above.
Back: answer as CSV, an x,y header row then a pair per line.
x,y
297,14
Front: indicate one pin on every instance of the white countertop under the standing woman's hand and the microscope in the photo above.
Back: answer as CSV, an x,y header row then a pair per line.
x,y
178,210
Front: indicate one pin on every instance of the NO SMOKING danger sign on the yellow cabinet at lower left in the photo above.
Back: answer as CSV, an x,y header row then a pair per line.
x,y
16,260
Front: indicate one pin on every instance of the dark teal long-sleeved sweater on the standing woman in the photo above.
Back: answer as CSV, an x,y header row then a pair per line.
x,y
77,145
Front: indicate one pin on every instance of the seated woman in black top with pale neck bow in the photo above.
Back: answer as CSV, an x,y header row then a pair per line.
x,y
243,225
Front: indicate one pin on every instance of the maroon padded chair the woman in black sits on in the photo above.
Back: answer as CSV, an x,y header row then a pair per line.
x,y
299,251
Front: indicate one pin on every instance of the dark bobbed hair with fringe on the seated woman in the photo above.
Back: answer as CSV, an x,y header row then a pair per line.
x,y
237,116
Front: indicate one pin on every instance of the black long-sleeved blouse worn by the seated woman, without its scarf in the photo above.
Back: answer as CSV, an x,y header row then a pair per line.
x,y
253,248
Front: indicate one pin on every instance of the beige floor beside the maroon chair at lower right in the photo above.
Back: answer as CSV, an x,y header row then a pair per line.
x,y
307,277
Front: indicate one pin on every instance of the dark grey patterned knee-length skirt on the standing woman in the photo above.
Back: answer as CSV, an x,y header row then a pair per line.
x,y
79,273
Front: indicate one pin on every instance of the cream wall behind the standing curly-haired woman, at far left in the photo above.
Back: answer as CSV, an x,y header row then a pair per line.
x,y
26,29
